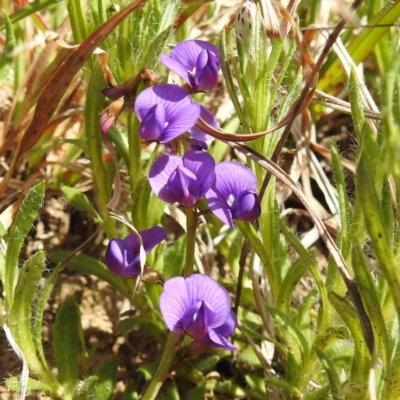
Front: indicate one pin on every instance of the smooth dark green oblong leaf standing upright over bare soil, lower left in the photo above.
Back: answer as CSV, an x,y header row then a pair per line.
x,y
66,343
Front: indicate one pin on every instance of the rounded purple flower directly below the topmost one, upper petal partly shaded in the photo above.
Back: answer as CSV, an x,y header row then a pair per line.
x,y
165,112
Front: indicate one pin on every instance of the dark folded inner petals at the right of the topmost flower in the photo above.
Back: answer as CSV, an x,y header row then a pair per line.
x,y
207,66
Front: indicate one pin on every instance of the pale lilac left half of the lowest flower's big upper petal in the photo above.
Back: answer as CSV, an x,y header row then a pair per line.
x,y
174,302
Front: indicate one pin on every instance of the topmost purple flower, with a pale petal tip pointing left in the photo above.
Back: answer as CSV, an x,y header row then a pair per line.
x,y
196,61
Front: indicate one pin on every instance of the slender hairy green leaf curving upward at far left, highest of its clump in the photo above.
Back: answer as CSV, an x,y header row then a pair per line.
x,y
26,215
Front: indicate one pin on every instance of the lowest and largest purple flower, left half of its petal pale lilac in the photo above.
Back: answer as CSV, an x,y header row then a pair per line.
x,y
199,307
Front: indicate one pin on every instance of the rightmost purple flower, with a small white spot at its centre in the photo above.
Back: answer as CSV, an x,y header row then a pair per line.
x,y
233,194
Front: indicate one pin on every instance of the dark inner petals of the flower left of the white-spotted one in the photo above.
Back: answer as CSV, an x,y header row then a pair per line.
x,y
182,187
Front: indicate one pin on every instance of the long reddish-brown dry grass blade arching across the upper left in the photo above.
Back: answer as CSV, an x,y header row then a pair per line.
x,y
59,82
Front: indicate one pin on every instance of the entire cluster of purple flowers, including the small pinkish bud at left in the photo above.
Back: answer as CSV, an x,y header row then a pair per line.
x,y
197,305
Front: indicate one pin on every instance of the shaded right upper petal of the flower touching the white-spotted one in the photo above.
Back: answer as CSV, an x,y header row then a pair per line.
x,y
203,166
